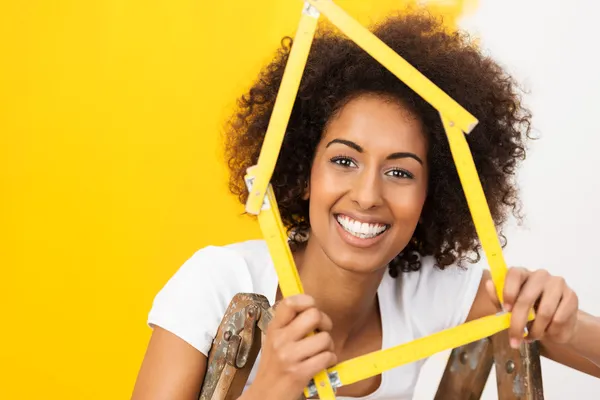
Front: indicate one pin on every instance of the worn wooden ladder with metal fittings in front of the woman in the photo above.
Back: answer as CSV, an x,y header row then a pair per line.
x,y
238,341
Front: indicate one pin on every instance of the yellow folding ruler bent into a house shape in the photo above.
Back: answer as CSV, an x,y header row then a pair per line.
x,y
261,201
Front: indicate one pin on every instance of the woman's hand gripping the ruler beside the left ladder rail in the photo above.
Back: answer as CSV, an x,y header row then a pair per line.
x,y
289,357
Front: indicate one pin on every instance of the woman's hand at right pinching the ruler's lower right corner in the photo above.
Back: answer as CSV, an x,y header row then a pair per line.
x,y
555,306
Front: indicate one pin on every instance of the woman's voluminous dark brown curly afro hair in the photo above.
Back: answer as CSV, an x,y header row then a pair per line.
x,y
338,70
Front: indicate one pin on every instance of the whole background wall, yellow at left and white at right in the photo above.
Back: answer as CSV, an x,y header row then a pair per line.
x,y
110,174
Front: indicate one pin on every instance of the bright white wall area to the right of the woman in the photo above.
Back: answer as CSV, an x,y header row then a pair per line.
x,y
552,47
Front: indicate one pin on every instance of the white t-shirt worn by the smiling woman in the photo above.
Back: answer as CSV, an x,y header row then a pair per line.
x,y
415,304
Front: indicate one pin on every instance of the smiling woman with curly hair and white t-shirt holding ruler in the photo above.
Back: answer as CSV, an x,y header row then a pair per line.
x,y
379,226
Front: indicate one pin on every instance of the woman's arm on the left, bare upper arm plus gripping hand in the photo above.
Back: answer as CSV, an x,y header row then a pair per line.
x,y
174,370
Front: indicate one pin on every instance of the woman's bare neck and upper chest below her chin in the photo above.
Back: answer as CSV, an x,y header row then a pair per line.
x,y
348,298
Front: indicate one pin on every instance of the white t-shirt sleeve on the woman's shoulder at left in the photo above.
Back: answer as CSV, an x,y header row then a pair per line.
x,y
193,301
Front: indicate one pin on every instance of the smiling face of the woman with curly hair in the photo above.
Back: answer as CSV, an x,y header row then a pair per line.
x,y
368,183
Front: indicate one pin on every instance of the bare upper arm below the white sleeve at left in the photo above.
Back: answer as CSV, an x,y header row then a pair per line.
x,y
171,370
